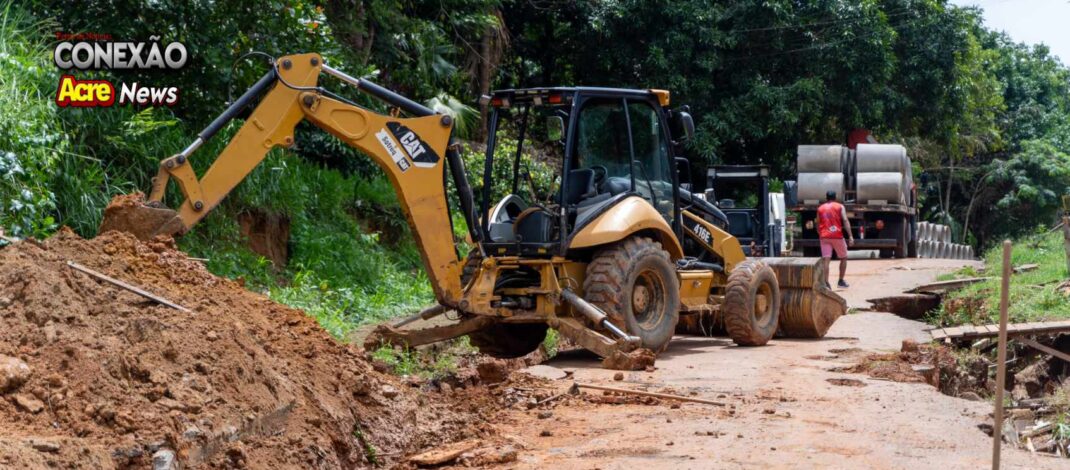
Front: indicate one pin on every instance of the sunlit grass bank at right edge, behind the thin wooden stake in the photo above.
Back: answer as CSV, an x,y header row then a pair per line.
x,y
1034,296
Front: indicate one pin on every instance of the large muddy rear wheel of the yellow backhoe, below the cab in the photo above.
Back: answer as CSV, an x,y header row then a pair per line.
x,y
635,283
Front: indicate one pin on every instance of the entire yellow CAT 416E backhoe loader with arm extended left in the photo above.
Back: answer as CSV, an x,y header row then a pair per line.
x,y
612,260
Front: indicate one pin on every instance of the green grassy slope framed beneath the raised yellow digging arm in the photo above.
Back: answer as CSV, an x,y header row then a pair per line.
x,y
343,271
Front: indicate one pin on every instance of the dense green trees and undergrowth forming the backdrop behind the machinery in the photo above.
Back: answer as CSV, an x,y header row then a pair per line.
x,y
986,119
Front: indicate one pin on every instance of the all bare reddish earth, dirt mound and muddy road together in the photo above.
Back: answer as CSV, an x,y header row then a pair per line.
x,y
112,381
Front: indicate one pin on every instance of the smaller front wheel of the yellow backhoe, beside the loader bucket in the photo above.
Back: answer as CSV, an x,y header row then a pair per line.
x,y
752,304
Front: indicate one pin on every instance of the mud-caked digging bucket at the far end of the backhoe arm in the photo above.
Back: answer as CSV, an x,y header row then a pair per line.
x,y
130,214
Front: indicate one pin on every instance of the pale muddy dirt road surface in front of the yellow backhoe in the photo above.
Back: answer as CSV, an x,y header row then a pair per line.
x,y
788,413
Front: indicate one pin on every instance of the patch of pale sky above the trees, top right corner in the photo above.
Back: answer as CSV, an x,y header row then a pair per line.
x,y
1031,22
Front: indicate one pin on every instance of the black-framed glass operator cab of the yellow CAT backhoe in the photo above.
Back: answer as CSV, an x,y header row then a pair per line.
x,y
558,158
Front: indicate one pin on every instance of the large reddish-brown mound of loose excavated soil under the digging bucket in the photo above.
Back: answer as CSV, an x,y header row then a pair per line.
x,y
94,376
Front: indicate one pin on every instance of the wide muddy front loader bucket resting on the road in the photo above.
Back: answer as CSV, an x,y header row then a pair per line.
x,y
808,307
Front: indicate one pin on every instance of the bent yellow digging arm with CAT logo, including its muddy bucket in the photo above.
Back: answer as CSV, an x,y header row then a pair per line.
x,y
414,153
